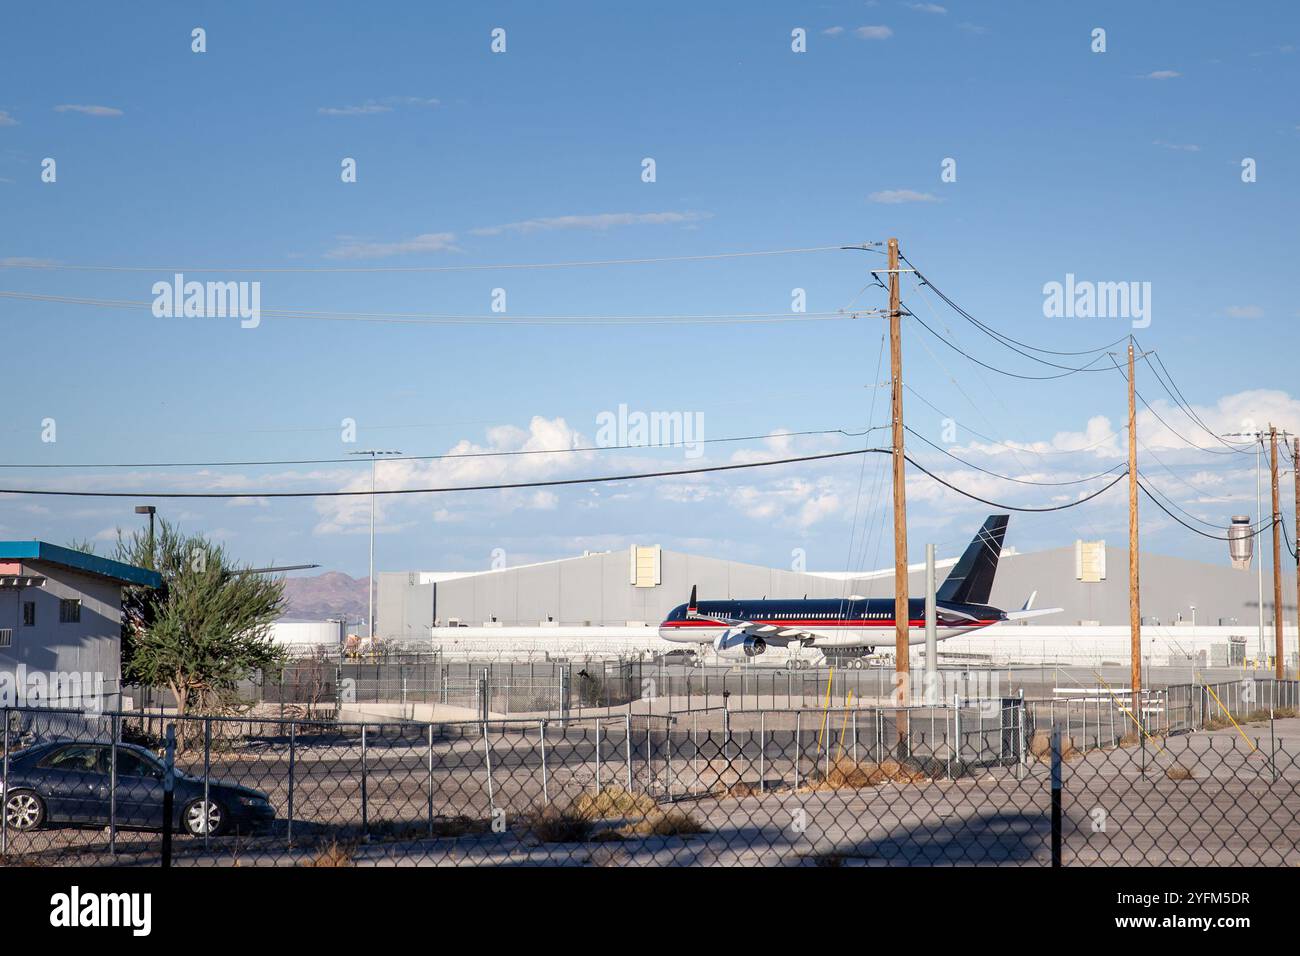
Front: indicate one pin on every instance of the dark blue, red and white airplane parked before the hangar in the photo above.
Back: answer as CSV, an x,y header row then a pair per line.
x,y
747,629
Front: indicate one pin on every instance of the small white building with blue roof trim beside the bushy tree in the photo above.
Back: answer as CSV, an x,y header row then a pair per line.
x,y
62,625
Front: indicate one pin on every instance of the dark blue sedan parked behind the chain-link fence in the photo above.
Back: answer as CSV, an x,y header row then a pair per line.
x,y
71,784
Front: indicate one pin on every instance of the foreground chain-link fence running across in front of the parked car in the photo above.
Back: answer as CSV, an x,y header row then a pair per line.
x,y
968,784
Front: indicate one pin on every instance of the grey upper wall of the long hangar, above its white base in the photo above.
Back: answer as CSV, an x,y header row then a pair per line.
x,y
597,590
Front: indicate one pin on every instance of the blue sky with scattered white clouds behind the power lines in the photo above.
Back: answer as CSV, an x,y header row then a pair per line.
x,y
1124,166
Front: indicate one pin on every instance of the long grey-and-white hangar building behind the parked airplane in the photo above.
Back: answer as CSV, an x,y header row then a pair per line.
x,y
613,602
